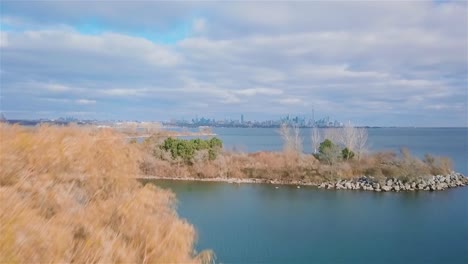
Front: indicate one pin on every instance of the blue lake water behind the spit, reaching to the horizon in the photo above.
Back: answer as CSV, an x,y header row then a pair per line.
x,y
450,142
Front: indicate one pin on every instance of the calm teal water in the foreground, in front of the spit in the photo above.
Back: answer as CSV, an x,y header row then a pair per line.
x,y
255,223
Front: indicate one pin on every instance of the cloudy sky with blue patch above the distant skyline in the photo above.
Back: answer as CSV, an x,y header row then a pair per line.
x,y
398,63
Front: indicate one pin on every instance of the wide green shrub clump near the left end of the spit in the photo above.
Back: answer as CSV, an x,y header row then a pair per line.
x,y
186,149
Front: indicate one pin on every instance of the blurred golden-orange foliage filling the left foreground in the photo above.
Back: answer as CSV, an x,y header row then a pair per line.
x,y
68,194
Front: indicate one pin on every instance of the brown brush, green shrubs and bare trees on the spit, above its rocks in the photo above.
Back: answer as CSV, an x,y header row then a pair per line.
x,y
332,162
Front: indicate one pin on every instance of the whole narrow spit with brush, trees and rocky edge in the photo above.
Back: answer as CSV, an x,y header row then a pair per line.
x,y
340,161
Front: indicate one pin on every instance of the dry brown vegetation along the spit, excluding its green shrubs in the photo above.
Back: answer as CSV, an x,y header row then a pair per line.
x,y
292,166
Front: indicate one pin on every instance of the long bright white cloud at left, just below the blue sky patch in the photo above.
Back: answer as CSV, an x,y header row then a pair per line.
x,y
69,43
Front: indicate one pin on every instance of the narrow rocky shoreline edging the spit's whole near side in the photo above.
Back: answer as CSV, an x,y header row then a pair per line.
x,y
365,183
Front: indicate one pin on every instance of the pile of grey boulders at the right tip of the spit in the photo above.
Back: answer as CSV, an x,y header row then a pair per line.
x,y
429,183
